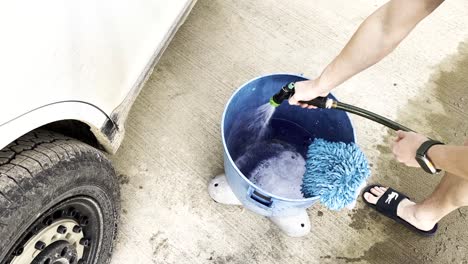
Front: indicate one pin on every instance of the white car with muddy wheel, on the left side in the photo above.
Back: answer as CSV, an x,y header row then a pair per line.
x,y
70,71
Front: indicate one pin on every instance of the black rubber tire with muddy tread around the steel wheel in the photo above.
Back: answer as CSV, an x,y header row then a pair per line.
x,y
43,168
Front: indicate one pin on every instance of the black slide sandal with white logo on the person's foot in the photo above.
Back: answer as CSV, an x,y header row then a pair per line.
x,y
387,205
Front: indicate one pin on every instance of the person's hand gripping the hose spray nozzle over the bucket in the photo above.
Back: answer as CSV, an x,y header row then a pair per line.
x,y
306,91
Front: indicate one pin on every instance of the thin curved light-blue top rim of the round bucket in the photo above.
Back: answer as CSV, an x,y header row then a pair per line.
x,y
310,199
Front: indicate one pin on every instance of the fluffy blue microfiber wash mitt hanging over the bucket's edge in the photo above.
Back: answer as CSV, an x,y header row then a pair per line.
x,y
334,171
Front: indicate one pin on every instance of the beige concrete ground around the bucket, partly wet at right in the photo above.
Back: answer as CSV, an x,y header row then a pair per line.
x,y
173,145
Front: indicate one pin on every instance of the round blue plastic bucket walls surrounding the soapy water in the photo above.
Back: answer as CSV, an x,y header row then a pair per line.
x,y
331,125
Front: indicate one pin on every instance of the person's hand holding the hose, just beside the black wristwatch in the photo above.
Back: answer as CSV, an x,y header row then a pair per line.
x,y
405,146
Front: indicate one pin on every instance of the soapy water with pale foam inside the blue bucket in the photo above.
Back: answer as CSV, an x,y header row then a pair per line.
x,y
270,151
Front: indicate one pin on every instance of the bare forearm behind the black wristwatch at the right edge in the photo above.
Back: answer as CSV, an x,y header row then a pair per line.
x,y
453,159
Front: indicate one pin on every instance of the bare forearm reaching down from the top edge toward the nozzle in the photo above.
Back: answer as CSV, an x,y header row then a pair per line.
x,y
375,38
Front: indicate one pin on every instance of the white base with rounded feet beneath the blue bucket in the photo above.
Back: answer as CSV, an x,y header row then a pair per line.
x,y
294,226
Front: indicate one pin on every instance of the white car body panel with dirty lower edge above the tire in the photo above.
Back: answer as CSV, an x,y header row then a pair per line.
x,y
84,60
